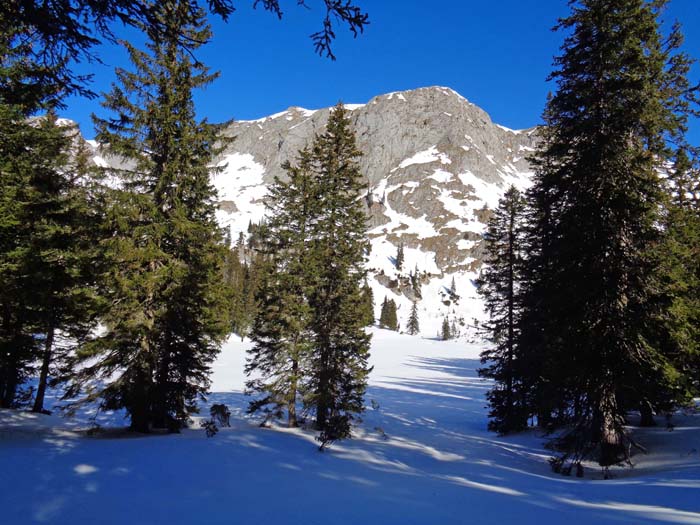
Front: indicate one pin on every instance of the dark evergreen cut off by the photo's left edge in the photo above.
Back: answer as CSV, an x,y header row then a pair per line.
x,y
30,155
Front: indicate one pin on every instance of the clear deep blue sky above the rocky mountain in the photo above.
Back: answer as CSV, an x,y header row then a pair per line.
x,y
496,53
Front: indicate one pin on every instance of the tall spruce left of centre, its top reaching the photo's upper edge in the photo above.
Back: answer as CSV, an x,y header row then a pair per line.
x,y
167,309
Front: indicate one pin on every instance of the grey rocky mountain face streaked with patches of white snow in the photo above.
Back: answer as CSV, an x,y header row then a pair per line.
x,y
435,165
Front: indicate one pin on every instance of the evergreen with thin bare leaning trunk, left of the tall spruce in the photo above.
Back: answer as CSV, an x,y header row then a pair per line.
x,y
61,259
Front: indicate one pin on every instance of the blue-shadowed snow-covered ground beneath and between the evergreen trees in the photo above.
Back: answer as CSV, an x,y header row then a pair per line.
x,y
421,456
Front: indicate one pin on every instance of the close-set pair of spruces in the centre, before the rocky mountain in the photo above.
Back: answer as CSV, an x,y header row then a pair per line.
x,y
309,332
